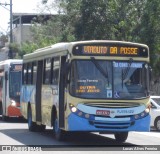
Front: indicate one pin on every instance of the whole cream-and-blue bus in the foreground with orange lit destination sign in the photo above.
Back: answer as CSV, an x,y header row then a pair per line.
x,y
89,86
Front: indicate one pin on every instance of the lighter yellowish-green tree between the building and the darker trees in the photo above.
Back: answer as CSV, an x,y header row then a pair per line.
x,y
45,33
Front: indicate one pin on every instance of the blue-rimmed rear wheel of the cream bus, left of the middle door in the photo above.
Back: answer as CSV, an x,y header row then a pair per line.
x,y
31,124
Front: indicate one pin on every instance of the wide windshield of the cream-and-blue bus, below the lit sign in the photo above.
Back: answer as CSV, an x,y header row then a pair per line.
x,y
108,79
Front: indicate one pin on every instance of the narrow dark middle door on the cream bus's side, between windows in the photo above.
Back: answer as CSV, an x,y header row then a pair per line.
x,y
38,91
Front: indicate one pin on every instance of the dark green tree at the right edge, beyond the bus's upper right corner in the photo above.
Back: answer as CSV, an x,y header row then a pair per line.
x,y
150,31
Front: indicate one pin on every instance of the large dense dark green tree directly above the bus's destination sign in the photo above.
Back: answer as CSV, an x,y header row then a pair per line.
x,y
111,19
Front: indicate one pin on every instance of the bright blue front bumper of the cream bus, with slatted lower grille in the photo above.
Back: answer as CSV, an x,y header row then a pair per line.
x,y
76,123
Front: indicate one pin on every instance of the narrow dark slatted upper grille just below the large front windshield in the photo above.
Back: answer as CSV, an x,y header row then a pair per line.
x,y
113,105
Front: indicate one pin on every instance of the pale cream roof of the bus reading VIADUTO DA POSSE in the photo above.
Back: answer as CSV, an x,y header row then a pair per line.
x,y
66,47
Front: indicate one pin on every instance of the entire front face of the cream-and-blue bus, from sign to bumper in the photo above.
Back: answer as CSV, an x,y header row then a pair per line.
x,y
109,88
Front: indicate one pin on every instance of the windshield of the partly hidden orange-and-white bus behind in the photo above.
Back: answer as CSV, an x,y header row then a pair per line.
x,y
15,81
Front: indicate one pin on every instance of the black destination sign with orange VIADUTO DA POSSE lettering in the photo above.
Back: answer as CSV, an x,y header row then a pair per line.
x,y
101,50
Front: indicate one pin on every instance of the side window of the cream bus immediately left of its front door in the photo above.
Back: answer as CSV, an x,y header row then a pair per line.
x,y
55,72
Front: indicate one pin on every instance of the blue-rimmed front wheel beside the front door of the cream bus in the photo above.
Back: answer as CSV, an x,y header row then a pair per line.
x,y
59,133
